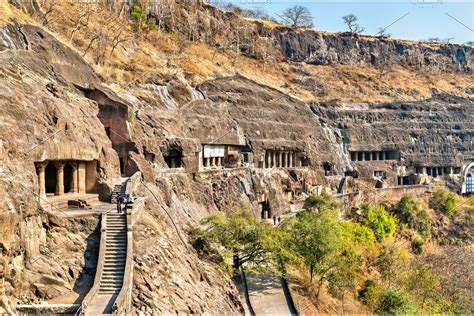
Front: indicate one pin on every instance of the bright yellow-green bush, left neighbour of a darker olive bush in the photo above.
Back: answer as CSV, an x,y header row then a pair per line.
x,y
379,220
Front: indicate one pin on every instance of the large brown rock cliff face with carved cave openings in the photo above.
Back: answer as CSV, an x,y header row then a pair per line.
x,y
54,106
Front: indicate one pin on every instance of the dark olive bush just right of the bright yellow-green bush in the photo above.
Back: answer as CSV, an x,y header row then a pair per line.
x,y
410,211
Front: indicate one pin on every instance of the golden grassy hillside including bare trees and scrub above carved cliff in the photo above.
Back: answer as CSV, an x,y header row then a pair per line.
x,y
129,48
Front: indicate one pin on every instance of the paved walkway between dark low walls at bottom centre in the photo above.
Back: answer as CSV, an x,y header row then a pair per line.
x,y
266,295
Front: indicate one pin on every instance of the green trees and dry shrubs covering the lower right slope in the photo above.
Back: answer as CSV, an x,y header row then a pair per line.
x,y
379,258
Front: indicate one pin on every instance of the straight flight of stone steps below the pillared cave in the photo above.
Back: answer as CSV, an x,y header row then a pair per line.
x,y
115,254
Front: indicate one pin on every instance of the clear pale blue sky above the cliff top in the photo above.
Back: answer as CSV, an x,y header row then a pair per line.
x,y
425,19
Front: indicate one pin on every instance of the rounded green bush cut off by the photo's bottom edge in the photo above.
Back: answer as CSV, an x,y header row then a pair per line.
x,y
394,302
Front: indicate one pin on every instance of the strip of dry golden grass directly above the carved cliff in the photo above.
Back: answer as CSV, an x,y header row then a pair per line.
x,y
170,53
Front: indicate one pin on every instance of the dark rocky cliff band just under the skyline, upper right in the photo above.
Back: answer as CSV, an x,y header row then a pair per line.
x,y
320,48
